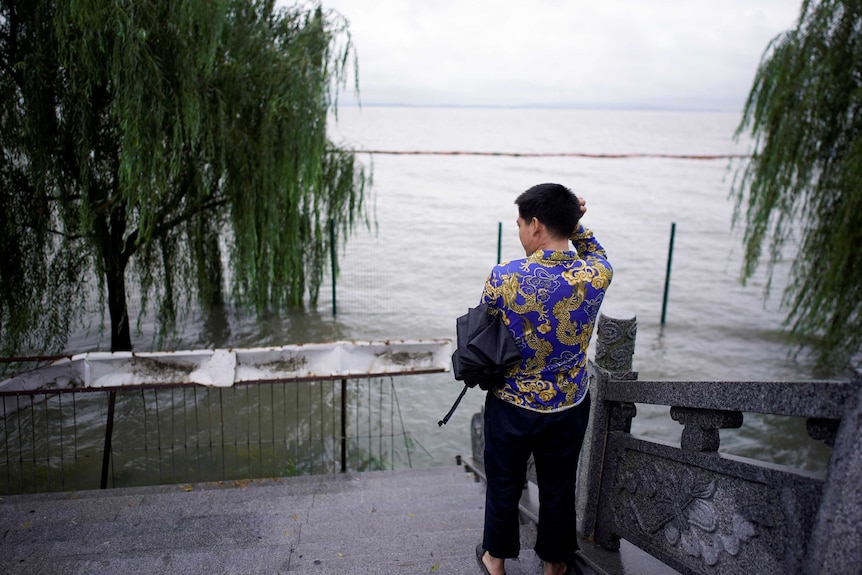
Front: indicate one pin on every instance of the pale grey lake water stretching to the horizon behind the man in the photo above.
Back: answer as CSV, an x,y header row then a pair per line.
x,y
435,238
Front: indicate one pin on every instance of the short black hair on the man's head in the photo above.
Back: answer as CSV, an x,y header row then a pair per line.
x,y
554,205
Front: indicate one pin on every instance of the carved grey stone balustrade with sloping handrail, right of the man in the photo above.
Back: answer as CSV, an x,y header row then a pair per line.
x,y
699,511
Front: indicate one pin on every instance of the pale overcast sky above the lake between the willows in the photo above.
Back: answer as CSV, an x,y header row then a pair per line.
x,y
676,54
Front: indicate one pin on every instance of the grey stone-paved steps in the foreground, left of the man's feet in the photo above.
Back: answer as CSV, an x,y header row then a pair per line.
x,y
412,521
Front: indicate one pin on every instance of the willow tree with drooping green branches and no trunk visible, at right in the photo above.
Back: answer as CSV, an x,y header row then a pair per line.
x,y
802,190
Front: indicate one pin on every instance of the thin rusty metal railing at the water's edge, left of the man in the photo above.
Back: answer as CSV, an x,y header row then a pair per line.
x,y
94,435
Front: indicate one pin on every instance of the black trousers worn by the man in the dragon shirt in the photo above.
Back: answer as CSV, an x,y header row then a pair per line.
x,y
511,435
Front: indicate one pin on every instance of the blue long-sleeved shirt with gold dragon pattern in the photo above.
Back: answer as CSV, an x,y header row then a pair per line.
x,y
550,301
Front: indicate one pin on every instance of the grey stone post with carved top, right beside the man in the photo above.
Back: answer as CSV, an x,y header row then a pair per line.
x,y
615,346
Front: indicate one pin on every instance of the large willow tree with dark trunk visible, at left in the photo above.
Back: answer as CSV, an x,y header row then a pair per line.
x,y
152,142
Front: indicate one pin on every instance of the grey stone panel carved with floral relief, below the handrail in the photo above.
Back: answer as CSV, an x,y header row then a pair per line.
x,y
704,521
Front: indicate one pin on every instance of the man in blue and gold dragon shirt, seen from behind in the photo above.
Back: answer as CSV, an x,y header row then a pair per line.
x,y
549,301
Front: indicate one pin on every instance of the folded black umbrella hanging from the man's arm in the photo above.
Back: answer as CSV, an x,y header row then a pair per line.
x,y
485,351
